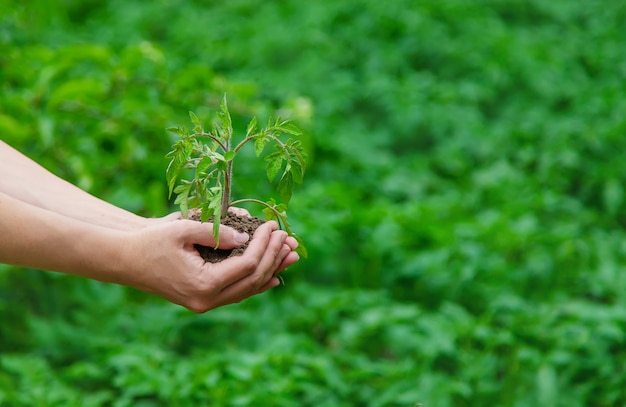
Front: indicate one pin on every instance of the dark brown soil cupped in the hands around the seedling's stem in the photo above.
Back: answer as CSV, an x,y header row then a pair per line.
x,y
246,224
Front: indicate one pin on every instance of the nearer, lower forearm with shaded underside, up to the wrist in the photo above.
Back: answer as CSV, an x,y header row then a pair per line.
x,y
34,237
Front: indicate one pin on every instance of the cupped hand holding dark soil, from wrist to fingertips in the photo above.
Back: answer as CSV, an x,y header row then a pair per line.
x,y
161,259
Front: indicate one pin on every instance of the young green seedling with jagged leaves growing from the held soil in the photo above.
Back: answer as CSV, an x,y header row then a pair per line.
x,y
211,156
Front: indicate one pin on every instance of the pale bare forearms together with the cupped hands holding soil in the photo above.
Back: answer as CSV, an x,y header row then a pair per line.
x,y
54,225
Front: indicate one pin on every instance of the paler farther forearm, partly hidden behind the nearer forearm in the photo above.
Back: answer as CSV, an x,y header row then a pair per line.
x,y
27,181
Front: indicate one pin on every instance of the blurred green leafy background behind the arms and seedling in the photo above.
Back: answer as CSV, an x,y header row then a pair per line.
x,y
464,208
